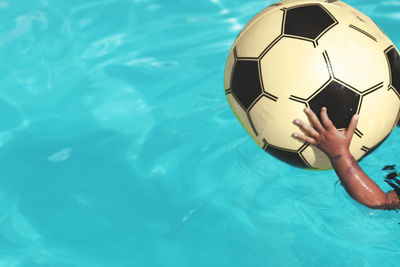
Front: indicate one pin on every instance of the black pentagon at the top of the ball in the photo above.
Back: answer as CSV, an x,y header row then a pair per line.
x,y
307,21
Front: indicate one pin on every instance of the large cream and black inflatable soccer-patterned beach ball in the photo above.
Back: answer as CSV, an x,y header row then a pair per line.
x,y
297,54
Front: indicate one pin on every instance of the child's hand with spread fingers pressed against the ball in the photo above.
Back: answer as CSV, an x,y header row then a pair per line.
x,y
325,136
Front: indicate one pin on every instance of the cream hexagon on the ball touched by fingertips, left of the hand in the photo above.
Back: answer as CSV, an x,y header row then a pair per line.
x,y
274,121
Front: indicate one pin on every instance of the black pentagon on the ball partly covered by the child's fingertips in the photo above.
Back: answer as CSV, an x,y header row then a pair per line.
x,y
340,102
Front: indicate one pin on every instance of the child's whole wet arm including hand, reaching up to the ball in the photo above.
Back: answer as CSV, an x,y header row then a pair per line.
x,y
336,145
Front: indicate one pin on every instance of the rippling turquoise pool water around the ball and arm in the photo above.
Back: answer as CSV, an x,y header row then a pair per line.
x,y
118,147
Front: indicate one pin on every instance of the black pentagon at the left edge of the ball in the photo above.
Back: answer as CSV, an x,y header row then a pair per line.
x,y
246,84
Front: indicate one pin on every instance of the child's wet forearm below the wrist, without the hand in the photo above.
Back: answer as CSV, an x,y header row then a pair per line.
x,y
360,186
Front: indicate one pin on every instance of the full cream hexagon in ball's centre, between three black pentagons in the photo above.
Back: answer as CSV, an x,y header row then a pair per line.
x,y
293,67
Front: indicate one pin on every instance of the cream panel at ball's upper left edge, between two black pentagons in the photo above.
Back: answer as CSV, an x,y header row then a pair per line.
x,y
257,37
